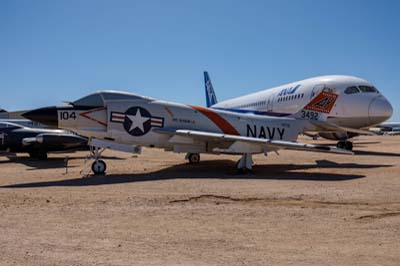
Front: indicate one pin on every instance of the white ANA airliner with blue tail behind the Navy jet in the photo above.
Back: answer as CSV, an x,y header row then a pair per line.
x,y
359,106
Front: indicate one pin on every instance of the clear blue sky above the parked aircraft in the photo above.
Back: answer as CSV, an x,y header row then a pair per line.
x,y
52,51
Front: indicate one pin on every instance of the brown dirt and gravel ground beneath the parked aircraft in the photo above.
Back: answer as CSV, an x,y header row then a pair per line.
x,y
295,209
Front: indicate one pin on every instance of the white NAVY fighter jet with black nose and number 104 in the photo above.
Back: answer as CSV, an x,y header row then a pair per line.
x,y
126,122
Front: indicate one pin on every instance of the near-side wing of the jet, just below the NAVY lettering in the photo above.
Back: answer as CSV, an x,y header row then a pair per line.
x,y
243,144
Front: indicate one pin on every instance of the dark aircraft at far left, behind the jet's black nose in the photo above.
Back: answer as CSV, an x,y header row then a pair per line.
x,y
37,142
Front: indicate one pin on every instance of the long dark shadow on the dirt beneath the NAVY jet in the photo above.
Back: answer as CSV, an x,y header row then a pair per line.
x,y
218,169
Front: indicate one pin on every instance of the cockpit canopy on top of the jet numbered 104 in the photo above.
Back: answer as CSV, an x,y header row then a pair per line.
x,y
98,99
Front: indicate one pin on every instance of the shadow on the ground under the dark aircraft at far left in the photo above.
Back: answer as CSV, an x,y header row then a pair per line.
x,y
50,163
